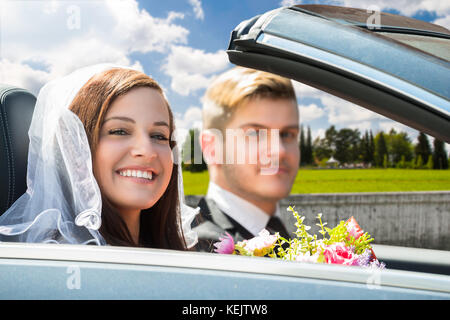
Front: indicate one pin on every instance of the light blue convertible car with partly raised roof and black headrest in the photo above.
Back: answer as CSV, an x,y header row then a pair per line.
x,y
399,68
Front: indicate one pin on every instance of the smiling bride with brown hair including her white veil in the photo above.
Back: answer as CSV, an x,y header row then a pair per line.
x,y
100,166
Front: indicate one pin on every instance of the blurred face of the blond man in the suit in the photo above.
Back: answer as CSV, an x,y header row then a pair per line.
x,y
263,169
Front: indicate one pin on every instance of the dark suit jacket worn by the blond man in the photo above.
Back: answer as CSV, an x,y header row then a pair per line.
x,y
212,223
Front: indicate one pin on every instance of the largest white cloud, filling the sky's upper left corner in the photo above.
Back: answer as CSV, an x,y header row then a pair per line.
x,y
42,40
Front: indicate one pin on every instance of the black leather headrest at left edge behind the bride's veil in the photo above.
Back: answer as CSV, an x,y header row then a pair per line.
x,y
16,111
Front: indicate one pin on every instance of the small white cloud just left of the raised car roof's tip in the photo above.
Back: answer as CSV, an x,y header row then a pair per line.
x,y
192,69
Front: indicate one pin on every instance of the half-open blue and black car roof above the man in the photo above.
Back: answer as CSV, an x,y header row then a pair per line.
x,y
396,66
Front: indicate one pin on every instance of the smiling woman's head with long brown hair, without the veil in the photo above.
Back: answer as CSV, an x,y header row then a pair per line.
x,y
129,124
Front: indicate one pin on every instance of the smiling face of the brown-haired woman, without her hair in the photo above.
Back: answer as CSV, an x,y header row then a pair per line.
x,y
133,162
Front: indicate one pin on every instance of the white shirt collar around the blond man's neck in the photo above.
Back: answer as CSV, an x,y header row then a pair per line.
x,y
245,213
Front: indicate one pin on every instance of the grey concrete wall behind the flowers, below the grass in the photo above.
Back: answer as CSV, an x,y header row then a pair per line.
x,y
411,219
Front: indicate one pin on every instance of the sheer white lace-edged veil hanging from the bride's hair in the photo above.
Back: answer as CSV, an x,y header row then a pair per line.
x,y
62,203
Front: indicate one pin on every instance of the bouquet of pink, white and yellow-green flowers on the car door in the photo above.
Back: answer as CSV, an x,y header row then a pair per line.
x,y
345,244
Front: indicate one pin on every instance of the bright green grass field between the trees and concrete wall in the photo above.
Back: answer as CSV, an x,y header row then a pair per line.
x,y
350,180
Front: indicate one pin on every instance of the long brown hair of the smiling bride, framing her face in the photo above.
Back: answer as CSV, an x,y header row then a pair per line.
x,y
160,224
